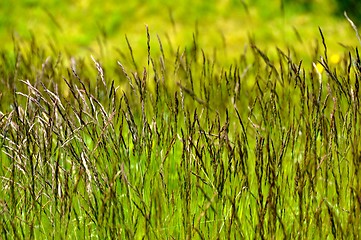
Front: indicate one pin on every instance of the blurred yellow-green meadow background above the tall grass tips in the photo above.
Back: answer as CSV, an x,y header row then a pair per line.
x,y
84,27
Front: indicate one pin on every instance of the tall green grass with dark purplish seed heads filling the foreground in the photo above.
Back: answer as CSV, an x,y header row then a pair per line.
x,y
181,147
